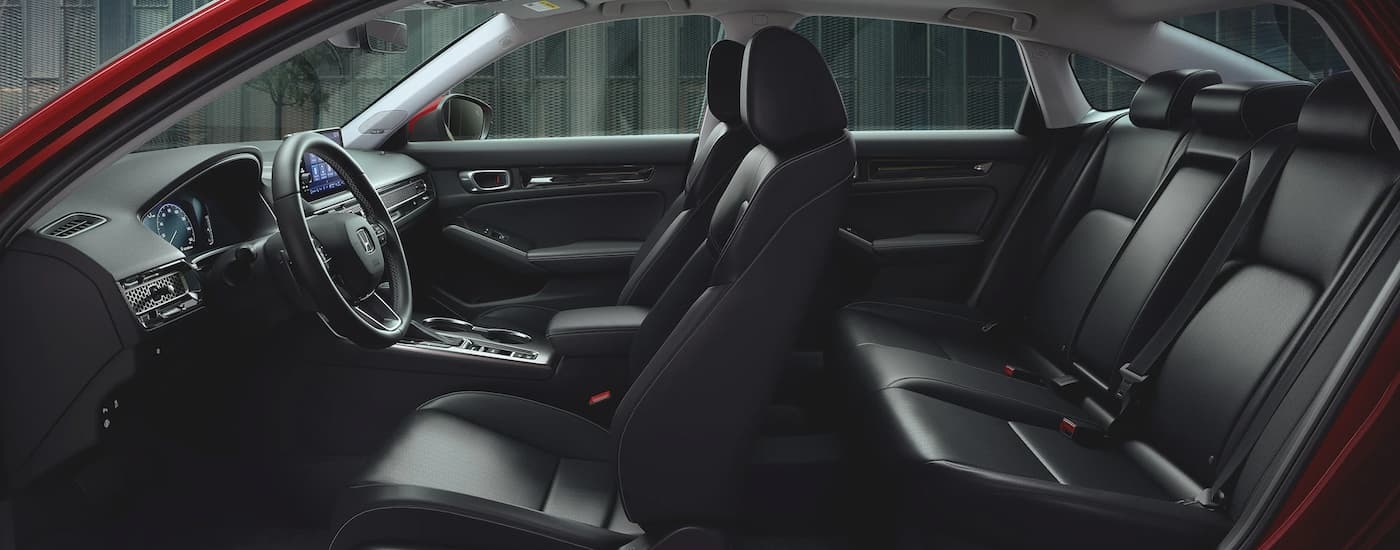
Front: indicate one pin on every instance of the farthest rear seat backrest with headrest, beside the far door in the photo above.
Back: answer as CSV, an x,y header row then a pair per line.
x,y
1136,155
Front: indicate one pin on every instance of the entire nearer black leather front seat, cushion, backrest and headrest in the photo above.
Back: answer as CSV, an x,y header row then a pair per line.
x,y
488,471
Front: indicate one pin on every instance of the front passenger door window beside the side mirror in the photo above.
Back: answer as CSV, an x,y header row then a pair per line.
x,y
608,79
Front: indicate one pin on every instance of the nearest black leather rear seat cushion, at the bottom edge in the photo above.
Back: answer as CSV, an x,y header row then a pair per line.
x,y
1013,484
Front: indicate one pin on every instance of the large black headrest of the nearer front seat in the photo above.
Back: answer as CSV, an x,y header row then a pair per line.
x,y
790,99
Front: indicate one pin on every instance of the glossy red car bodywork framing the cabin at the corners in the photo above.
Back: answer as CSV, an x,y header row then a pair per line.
x,y
1353,457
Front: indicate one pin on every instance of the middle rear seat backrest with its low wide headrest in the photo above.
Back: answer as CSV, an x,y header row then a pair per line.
x,y
1199,197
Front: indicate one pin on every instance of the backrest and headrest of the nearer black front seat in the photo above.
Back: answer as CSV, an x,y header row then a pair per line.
x,y
685,429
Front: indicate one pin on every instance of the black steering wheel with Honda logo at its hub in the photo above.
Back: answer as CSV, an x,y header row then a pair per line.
x,y
342,260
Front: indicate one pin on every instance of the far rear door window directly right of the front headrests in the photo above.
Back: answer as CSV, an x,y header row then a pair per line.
x,y
913,76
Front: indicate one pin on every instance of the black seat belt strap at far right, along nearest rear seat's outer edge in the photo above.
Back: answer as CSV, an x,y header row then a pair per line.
x,y
1280,381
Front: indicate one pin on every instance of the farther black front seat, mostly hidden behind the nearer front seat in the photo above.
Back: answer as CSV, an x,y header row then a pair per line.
x,y
684,225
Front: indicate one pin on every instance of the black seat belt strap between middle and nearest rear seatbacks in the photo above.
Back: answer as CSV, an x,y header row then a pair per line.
x,y
1140,370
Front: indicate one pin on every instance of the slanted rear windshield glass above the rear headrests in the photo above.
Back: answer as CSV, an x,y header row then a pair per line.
x,y
1286,38
